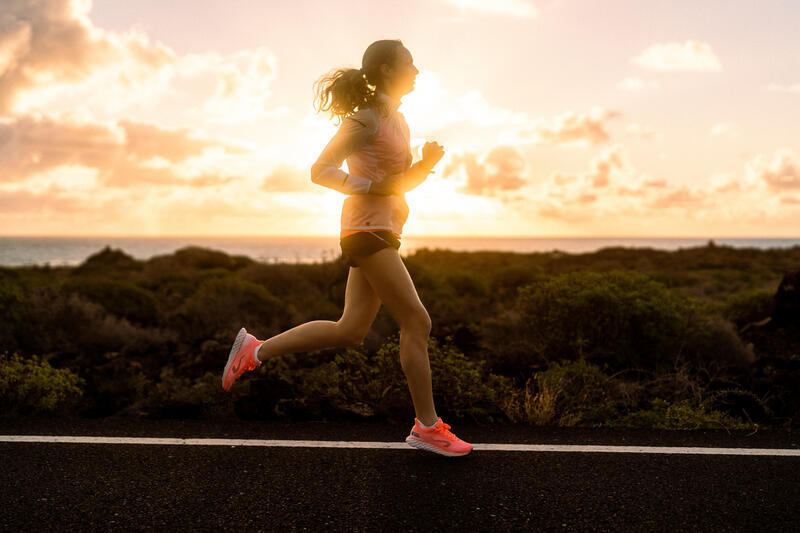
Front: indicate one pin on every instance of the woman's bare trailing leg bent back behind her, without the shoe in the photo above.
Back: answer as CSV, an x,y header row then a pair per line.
x,y
360,307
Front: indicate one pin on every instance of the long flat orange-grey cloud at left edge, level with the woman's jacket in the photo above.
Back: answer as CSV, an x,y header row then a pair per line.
x,y
125,154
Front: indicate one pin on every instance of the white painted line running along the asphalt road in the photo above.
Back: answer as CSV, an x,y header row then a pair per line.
x,y
399,445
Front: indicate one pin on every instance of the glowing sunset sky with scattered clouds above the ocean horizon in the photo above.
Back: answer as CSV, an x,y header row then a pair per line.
x,y
558,118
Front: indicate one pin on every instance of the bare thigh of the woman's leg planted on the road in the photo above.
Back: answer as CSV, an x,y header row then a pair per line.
x,y
389,278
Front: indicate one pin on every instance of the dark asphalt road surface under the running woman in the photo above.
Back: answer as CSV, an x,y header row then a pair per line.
x,y
116,487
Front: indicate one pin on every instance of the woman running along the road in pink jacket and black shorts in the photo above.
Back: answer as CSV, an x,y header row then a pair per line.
x,y
375,141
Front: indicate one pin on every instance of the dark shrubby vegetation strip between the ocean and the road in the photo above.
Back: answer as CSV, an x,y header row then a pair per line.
x,y
699,337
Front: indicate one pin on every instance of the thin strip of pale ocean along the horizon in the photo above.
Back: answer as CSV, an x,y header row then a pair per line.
x,y
72,251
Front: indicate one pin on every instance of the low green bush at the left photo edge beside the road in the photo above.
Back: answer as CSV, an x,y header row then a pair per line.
x,y
31,385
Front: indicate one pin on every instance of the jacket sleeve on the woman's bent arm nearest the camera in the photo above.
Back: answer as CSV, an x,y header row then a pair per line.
x,y
356,131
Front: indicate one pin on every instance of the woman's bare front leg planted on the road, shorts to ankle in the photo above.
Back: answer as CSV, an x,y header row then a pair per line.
x,y
389,278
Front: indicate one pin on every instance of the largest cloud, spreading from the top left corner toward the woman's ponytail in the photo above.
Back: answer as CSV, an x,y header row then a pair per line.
x,y
52,58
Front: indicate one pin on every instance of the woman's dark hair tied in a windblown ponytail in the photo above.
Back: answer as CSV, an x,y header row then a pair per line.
x,y
351,88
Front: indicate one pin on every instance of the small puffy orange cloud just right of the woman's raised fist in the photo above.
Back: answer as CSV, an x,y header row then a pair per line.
x,y
499,171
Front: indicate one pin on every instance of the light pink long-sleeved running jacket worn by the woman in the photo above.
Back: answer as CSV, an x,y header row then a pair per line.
x,y
376,143
